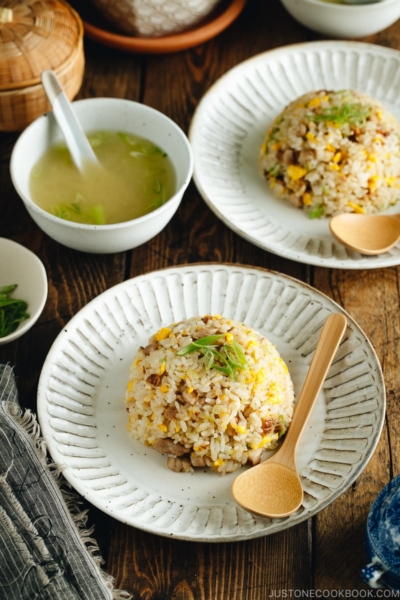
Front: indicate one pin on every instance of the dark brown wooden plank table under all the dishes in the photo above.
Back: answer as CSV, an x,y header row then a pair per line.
x,y
323,553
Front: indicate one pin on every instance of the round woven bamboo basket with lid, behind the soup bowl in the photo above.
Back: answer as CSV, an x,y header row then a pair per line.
x,y
36,35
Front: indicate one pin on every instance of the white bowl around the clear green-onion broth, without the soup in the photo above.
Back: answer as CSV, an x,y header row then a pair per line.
x,y
113,114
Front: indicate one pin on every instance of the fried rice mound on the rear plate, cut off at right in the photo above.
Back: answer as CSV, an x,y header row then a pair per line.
x,y
334,152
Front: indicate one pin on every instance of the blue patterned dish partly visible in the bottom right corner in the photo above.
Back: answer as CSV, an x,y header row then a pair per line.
x,y
382,539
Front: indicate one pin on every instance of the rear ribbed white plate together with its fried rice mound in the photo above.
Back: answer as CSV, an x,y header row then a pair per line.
x,y
325,117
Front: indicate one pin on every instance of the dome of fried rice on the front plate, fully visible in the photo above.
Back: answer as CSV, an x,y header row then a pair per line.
x,y
209,392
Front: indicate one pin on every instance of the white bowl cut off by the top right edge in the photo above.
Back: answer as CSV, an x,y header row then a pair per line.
x,y
344,20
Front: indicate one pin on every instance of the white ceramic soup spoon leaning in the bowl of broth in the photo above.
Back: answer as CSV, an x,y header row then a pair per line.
x,y
77,142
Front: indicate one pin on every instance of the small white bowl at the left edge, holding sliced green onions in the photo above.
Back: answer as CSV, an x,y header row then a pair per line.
x,y
22,267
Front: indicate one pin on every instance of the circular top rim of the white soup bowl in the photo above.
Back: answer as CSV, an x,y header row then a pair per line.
x,y
110,226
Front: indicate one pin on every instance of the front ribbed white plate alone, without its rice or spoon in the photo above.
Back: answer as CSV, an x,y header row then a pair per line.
x,y
82,386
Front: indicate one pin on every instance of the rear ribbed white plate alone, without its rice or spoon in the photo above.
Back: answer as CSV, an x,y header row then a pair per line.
x,y
228,129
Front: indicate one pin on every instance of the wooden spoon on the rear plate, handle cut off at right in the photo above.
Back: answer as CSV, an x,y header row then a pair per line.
x,y
367,234
